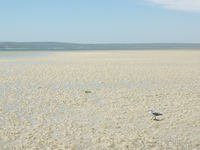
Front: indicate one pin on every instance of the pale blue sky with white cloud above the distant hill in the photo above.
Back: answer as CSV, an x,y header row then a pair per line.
x,y
100,21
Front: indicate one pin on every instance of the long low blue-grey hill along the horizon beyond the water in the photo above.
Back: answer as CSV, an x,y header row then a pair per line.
x,y
75,46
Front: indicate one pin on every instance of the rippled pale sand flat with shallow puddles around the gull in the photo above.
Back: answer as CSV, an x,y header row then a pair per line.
x,y
43,104
